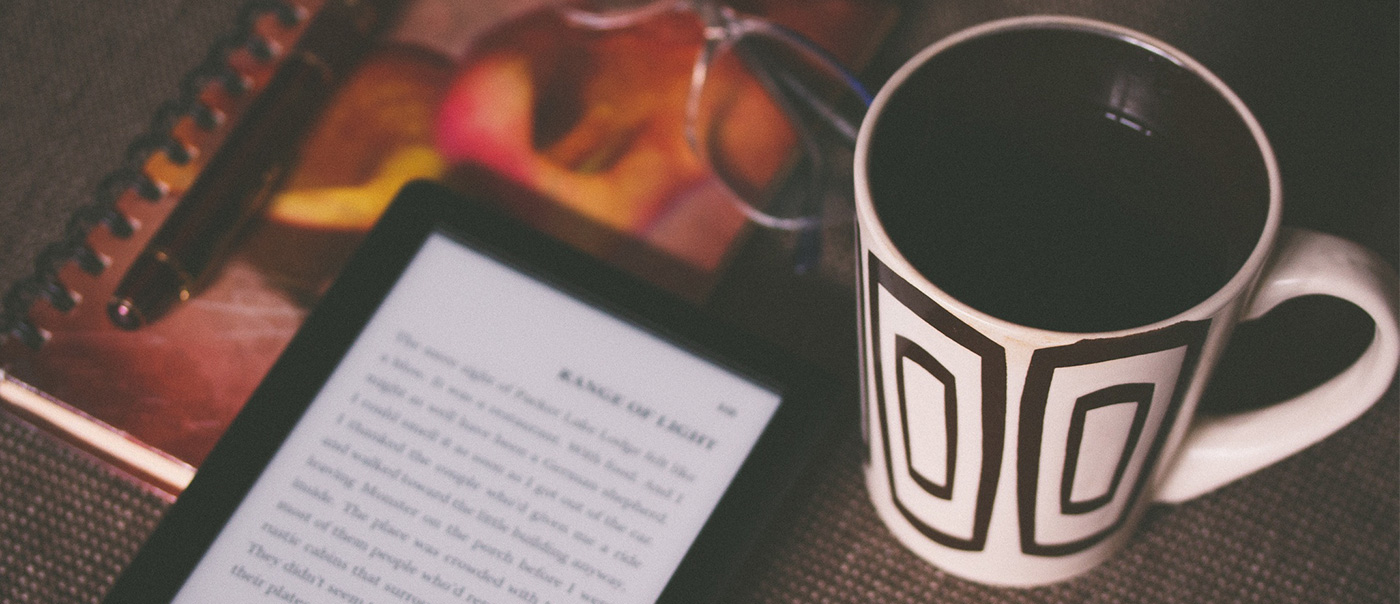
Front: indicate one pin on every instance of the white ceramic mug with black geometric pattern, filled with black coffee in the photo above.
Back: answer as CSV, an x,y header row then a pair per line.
x,y
1059,225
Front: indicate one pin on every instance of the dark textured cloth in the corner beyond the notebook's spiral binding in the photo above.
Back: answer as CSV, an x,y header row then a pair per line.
x,y
79,83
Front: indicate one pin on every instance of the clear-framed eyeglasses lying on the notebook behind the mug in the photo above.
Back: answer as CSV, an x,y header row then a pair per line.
x,y
768,110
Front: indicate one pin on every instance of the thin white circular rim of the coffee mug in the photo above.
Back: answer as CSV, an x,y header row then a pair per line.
x,y
1238,282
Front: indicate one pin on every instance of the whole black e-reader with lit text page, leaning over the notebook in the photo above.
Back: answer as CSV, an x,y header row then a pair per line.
x,y
477,413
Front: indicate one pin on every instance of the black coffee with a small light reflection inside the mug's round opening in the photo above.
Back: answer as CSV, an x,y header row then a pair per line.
x,y
1067,181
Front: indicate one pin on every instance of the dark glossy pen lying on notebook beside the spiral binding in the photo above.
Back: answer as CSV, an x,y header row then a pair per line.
x,y
243,174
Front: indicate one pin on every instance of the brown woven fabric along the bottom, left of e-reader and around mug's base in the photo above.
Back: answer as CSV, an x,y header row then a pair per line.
x,y
68,525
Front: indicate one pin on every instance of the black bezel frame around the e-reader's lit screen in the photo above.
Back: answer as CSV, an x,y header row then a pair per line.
x,y
803,418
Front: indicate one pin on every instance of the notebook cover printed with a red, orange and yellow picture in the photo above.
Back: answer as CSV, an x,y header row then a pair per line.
x,y
520,103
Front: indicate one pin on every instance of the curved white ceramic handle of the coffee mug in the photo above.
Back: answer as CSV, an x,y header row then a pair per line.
x,y
1219,451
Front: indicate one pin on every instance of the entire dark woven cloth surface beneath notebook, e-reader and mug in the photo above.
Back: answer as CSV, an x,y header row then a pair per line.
x,y
79,83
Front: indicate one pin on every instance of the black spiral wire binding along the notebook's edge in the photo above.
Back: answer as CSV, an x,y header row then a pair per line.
x,y
44,284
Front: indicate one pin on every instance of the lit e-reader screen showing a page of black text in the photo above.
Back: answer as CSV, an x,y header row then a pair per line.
x,y
489,439
